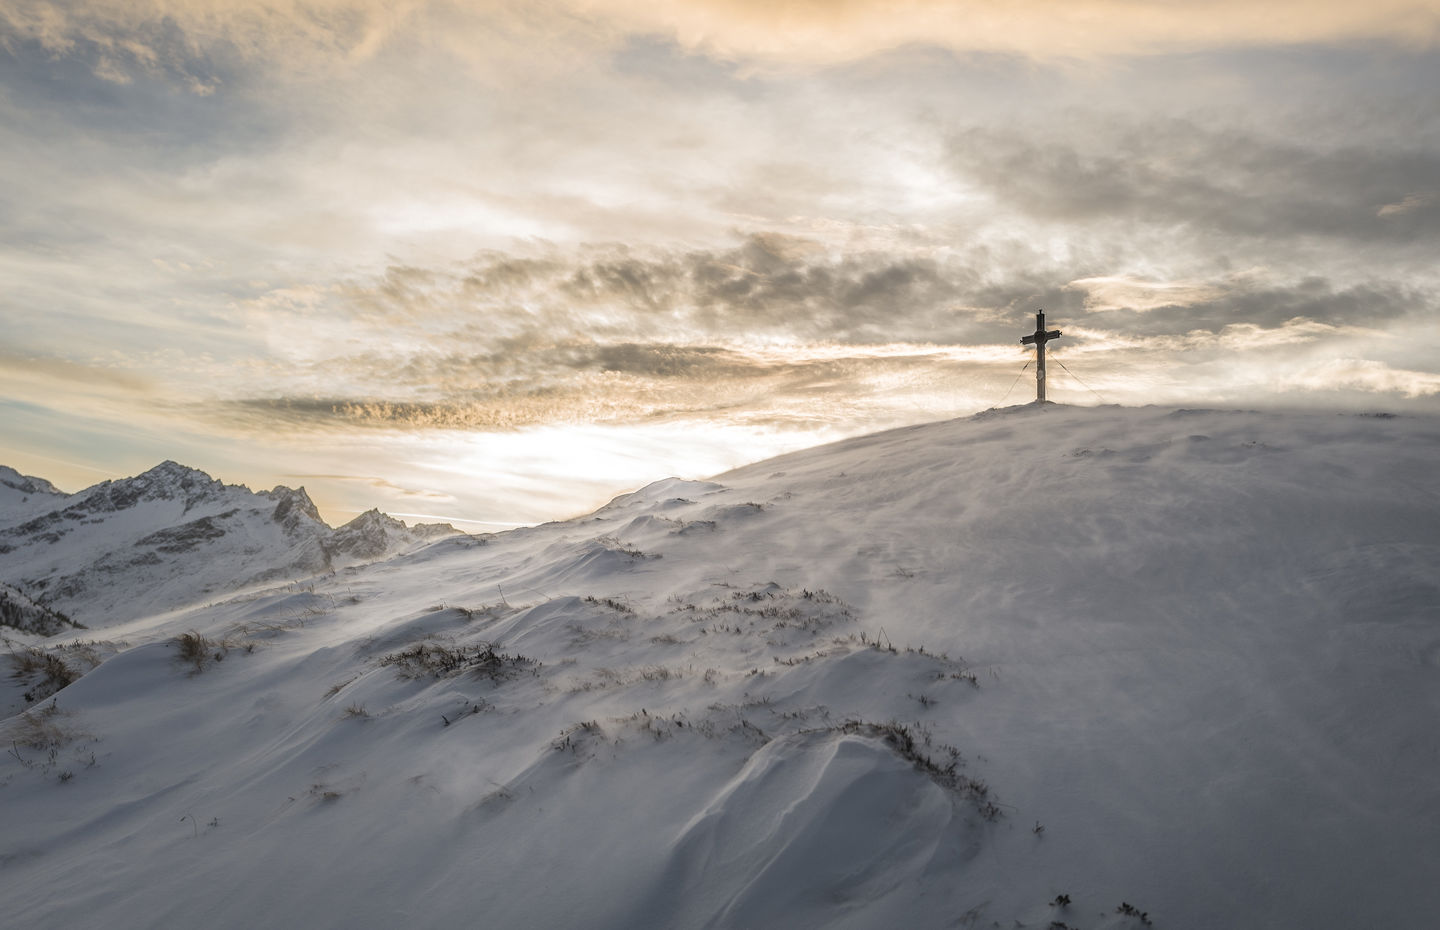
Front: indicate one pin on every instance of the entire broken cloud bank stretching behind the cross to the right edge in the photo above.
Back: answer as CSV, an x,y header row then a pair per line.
x,y
770,330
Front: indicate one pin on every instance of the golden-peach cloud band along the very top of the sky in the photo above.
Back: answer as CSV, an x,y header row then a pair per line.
x,y
307,35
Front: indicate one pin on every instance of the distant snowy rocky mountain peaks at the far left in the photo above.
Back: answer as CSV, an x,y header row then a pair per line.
x,y
169,538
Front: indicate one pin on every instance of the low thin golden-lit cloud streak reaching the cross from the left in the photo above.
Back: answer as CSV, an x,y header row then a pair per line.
x,y
623,384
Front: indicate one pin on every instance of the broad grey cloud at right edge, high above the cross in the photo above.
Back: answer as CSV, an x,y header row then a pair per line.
x,y
1176,173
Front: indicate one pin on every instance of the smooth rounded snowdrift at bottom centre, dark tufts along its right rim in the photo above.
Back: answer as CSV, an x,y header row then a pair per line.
x,y
860,824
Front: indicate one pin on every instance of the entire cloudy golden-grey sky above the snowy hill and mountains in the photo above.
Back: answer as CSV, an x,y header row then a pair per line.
x,y
498,263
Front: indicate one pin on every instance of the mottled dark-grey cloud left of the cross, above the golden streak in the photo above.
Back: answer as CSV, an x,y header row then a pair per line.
x,y
767,289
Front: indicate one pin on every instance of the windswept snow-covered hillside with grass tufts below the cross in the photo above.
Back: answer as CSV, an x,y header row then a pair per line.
x,y
1039,667
